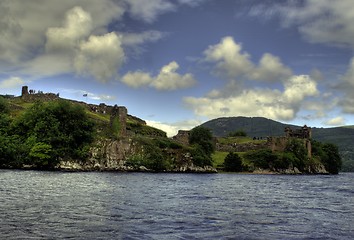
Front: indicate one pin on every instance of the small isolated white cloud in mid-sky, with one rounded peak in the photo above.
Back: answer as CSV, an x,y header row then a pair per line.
x,y
167,79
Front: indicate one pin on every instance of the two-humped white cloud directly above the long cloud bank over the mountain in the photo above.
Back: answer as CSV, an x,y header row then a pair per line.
x,y
231,62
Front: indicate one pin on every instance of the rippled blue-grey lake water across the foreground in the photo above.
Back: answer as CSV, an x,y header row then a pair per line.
x,y
56,205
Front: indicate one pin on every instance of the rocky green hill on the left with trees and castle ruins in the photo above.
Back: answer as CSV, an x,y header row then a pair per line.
x,y
43,131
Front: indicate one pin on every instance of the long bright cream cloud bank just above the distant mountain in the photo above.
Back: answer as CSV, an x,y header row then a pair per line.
x,y
270,103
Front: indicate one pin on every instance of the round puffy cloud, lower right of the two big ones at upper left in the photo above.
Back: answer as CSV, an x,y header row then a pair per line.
x,y
100,56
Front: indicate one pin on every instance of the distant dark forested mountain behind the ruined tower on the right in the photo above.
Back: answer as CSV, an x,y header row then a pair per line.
x,y
262,127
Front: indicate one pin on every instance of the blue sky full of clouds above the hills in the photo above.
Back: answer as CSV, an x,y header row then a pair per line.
x,y
179,63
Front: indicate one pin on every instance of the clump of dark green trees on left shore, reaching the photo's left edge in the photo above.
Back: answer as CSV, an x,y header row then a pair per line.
x,y
44,134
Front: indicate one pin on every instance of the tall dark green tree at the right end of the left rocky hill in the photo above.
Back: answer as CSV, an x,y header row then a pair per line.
x,y
202,140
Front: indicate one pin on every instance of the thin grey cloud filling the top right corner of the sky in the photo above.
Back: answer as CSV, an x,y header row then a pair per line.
x,y
324,21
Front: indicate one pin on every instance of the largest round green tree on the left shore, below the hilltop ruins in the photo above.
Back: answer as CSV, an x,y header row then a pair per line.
x,y
63,126
